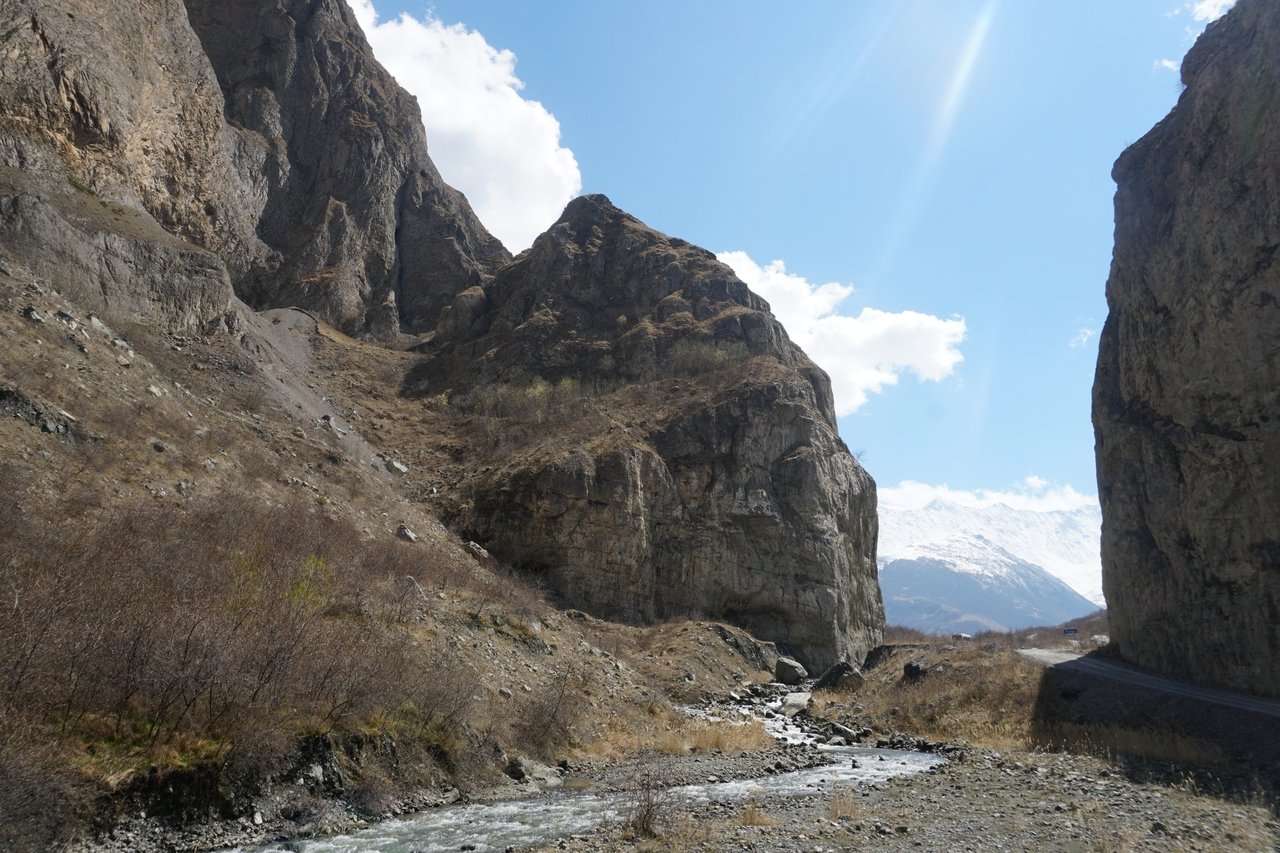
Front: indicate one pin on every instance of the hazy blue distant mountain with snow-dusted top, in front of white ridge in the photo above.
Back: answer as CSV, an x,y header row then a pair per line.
x,y
971,585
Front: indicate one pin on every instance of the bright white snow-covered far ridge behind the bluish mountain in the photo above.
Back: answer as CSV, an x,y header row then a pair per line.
x,y
1063,542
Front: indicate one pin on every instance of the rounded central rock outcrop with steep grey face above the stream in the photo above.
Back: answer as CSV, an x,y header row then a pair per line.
x,y
706,477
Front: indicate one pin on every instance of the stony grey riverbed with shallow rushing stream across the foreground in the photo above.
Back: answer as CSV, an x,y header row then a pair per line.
x,y
975,800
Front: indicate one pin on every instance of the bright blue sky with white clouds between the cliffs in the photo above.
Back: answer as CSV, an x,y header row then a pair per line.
x,y
921,189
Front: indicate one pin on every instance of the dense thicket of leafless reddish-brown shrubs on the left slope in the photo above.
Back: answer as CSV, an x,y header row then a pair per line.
x,y
208,636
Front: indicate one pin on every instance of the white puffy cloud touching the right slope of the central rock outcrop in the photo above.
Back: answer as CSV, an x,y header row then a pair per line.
x,y
862,354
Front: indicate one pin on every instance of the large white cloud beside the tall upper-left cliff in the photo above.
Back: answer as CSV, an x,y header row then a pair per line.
x,y
502,150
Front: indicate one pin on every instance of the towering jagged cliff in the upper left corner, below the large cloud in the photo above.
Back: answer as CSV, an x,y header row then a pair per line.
x,y
262,133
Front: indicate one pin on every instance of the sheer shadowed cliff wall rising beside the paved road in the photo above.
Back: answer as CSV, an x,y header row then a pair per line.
x,y
1187,396
